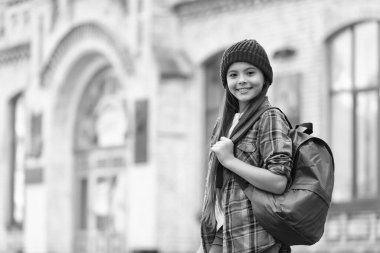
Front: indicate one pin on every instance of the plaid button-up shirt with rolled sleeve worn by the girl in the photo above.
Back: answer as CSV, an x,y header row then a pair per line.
x,y
267,145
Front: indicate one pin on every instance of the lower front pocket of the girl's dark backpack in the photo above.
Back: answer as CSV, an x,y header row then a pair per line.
x,y
296,217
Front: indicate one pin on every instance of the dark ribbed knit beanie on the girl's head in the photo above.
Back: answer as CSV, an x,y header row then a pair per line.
x,y
246,51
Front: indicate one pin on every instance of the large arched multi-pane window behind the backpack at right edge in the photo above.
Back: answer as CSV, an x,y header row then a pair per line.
x,y
354,99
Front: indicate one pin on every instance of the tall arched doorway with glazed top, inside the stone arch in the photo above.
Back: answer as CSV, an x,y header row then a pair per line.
x,y
99,153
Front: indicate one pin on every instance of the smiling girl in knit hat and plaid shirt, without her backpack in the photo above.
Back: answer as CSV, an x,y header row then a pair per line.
x,y
262,157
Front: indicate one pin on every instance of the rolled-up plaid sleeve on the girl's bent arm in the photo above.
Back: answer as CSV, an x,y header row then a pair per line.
x,y
275,143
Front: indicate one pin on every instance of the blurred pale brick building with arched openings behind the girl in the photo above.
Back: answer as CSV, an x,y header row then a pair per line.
x,y
107,106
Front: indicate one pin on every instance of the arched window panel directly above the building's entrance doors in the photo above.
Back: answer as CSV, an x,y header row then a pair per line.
x,y
102,118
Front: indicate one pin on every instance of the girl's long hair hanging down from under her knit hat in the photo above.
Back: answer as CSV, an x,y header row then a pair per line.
x,y
223,124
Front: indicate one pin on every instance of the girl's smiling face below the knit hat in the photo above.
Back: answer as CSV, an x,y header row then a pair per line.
x,y
245,82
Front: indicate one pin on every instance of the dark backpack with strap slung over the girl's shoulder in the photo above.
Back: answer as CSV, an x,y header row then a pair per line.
x,y
298,216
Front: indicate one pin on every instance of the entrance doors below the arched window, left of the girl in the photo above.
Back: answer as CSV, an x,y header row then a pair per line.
x,y
100,201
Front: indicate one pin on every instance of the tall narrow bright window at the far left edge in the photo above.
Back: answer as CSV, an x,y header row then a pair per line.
x,y
17,191
